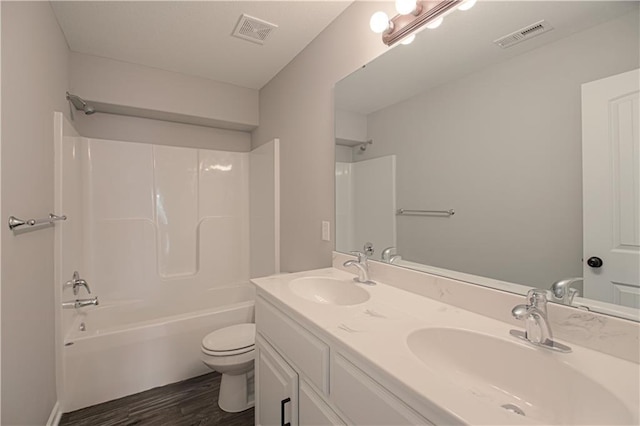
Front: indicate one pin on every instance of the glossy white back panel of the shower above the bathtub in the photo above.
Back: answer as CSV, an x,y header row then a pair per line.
x,y
162,220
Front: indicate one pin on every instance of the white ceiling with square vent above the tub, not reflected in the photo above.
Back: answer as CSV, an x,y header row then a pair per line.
x,y
194,37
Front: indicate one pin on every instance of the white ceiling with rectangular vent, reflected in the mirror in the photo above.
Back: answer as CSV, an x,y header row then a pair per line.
x,y
464,44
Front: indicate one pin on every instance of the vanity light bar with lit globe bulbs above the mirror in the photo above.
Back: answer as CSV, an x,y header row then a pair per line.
x,y
412,16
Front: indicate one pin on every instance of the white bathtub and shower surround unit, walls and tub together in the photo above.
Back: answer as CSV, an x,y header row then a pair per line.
x,y
161,234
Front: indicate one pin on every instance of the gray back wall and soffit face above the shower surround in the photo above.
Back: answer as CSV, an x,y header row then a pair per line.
x,y
110,81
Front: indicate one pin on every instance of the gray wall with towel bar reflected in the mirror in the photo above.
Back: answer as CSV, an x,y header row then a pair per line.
x,y
503,147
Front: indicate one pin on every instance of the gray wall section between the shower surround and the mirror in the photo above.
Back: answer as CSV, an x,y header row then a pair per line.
x,y
296,106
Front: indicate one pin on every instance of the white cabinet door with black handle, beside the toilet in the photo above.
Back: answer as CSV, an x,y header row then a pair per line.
x,y
276,388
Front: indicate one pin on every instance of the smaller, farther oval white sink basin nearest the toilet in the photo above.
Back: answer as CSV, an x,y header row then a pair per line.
x,y
329,291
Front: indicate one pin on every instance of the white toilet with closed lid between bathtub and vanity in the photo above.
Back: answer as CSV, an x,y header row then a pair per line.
x,y
231,351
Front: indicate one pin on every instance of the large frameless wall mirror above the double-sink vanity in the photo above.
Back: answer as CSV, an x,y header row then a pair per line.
x,y
511,167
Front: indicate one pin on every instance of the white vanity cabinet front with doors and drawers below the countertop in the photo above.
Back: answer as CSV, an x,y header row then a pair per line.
x,y
323,385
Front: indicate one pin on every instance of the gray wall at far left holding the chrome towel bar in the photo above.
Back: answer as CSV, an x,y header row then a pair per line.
x,y
34,81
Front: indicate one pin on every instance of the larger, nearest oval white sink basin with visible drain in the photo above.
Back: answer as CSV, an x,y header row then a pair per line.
x,y
524,380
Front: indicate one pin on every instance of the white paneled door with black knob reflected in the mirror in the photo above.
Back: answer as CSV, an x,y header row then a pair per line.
x,y
611,194
